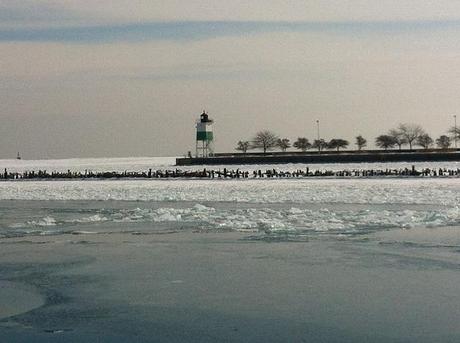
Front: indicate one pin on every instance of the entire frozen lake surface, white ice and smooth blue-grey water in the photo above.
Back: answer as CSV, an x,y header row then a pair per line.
x,y
317,260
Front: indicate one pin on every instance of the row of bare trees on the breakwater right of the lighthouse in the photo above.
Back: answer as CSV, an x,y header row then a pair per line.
x,y
404,134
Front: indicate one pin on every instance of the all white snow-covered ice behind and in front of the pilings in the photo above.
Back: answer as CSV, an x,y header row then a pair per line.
x,y
296,206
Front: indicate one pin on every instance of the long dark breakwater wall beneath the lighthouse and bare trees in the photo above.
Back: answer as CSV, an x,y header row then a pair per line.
x,y
327,157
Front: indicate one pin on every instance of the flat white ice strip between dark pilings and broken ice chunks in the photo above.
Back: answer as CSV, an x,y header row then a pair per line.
x,y
302,191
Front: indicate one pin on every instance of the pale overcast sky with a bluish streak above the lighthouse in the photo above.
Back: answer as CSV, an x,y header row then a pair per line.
x,y
130,77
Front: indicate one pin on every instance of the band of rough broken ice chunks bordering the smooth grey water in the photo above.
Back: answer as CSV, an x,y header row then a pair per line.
x,y
269,220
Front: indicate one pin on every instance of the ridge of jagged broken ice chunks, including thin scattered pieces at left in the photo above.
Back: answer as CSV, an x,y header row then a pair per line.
x,y
267,219
